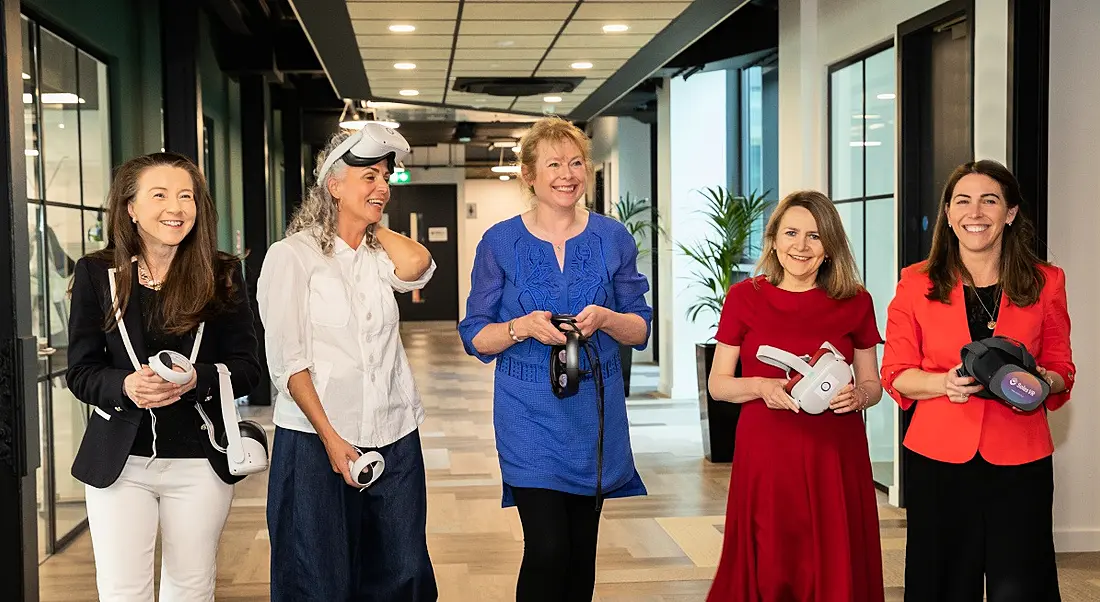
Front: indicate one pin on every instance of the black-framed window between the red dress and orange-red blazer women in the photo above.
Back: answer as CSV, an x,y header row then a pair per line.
x,y
862,184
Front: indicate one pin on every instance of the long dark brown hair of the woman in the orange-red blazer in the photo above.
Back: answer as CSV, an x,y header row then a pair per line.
x,y
1019,276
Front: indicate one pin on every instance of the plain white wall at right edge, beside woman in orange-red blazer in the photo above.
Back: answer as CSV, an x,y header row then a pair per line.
x,y
1074,215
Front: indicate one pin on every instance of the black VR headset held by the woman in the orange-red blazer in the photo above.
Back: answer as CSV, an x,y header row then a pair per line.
x,y
1007,371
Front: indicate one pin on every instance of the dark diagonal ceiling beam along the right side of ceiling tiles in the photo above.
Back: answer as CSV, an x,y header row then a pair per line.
x,y
695,23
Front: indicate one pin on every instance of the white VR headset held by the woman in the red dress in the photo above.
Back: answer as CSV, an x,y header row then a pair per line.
x,y
819,379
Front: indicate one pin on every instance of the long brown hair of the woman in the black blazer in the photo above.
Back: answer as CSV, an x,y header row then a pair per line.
x,y
201,279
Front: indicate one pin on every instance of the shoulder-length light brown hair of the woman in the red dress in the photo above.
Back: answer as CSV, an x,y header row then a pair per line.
x,y
838,276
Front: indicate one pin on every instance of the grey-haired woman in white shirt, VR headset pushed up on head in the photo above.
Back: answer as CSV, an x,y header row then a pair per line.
x,y
326,297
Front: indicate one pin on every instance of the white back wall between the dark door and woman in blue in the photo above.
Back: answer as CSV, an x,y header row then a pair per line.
x,y
496,201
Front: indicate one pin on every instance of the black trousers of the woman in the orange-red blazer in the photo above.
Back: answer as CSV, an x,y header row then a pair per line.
x,y
976,523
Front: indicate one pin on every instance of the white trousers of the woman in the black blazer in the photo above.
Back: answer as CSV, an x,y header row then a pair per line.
x,y
190,504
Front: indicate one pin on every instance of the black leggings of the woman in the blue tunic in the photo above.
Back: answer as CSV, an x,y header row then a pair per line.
x,y
560,532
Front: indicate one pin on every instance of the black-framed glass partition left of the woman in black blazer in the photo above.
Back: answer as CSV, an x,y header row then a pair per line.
x,y
68,134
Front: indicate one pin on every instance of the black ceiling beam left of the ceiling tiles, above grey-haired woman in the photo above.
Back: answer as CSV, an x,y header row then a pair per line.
x,y
333,39
